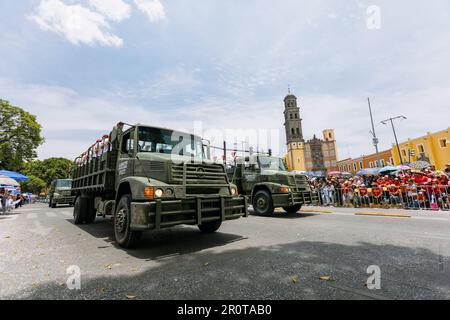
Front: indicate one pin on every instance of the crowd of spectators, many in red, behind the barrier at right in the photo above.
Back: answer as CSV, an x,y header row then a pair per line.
x,y
411,189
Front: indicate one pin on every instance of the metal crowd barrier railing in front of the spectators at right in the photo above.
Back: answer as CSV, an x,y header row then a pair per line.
x,y
418,197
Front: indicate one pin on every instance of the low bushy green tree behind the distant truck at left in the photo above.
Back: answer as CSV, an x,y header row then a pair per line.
x,y
48,169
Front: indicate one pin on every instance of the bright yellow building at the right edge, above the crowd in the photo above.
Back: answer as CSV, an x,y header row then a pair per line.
x,y
434,148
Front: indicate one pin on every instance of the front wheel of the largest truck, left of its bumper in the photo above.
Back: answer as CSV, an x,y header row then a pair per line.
x,y
125,237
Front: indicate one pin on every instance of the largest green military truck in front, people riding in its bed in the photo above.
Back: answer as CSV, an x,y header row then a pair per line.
x,y
151,178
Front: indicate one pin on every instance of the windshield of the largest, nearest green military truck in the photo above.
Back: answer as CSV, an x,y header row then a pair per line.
x,y
169,142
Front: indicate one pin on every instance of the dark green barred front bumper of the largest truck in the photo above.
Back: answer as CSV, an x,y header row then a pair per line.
x,y
160,214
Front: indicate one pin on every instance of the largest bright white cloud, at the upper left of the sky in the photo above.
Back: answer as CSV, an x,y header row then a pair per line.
x,y
77,23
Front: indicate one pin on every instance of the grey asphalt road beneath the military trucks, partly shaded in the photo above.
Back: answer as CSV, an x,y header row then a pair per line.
x,y
283,257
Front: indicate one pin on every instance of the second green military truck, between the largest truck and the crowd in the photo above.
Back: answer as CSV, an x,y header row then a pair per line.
x,y
269,185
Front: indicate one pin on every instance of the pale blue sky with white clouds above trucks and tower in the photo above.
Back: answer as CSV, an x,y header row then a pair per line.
x,y
83,65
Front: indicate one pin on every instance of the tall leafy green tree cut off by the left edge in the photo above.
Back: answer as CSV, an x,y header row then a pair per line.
x,y
20,135
